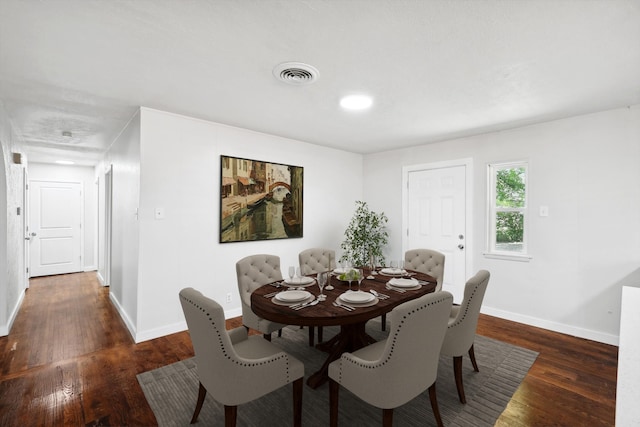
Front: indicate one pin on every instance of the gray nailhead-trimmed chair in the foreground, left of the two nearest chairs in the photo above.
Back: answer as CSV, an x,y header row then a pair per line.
x,y
233,367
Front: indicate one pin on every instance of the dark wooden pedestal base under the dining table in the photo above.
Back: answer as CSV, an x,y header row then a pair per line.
x,y
349,339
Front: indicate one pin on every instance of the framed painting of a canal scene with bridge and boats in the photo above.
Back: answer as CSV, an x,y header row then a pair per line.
x,y
259,200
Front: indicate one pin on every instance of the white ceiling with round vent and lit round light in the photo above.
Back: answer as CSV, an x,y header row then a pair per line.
x,y
436,69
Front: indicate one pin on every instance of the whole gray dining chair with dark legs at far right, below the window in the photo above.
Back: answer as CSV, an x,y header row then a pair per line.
x,y
461,331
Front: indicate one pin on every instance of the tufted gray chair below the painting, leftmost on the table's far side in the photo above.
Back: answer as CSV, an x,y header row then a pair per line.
x,y
254,271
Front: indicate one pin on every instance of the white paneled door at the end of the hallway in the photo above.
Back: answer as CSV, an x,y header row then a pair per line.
x,y
55,227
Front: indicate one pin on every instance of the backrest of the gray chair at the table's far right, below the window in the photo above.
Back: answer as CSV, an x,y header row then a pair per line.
x,y
461,331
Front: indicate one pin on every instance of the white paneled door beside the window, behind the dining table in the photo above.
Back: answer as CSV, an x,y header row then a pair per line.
x,y
436,219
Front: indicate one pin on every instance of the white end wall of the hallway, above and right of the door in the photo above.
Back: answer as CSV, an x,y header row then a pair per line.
x,y
86,176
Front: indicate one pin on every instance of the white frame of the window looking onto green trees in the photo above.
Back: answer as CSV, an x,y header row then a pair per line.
x,y
493,210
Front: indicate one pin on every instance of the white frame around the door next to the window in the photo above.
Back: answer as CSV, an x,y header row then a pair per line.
x,y
468,214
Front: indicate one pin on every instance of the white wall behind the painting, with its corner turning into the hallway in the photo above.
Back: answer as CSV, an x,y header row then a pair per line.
x,y
180,172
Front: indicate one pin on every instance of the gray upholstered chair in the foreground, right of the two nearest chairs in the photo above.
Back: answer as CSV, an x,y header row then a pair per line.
x,y
390,373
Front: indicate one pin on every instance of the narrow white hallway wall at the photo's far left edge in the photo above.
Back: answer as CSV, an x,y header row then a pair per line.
x,y
12,268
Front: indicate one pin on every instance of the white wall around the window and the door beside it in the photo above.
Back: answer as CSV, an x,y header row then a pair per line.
x,y
586,169
